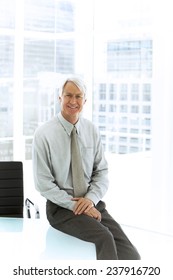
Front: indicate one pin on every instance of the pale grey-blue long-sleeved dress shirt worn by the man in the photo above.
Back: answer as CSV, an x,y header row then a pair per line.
x,y
52,158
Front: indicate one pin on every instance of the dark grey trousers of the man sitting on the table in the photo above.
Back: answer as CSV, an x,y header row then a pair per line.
x,y
110,240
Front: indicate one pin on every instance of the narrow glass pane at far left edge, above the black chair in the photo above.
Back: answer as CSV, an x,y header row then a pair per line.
x,y
6,78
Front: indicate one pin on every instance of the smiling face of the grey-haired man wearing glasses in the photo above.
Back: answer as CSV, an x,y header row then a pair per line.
x,y
72,101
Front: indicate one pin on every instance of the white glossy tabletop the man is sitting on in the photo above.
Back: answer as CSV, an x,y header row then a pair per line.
x,y
29,239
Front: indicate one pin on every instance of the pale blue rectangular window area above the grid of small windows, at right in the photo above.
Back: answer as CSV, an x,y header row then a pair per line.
x,y
130,55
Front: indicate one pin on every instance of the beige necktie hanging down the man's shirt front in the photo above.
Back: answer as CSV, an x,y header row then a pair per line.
x,y
79,184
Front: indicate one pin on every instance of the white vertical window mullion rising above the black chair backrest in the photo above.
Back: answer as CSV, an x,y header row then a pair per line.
x,y
19,142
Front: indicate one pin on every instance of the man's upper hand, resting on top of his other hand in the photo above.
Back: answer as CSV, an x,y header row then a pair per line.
x,y
83,205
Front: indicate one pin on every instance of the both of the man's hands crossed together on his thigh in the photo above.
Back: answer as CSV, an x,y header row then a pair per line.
x,y
85,206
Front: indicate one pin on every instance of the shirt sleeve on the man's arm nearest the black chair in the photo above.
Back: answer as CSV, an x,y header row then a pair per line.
x,y
43,176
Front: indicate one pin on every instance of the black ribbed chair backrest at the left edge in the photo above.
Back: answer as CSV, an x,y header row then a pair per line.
x,y
11,189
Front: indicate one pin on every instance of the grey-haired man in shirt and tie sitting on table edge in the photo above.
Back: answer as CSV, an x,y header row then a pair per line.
x,y
83,216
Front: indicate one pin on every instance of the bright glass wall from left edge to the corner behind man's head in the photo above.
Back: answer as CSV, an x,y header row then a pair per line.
x,y
40,41
